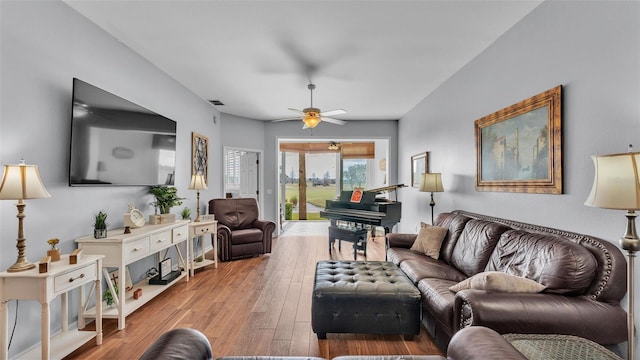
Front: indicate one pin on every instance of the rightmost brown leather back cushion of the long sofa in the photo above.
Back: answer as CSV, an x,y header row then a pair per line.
x,y
562,266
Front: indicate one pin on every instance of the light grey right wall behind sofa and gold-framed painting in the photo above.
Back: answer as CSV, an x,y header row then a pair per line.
x,y
592,48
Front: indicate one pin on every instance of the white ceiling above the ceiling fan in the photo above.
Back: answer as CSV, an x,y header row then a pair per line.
x,y
375,59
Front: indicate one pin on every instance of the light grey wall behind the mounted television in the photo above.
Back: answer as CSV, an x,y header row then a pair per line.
x,y
43,45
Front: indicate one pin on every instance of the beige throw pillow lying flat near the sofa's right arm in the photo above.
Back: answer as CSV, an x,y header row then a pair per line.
x,y
499,281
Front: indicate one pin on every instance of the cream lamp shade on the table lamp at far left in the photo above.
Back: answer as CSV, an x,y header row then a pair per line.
x,y
22,182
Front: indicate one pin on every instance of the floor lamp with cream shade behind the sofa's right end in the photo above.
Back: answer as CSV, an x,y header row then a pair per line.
x,y
616,185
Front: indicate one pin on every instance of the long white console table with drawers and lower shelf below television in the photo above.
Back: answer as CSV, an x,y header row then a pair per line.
x,y
120,249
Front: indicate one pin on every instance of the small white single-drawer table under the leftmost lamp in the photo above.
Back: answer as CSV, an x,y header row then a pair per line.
x,y
59,280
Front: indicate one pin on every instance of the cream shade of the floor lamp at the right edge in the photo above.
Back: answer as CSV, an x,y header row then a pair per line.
x,y
616,182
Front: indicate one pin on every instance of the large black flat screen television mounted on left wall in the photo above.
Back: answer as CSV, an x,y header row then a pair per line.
x,y
117,143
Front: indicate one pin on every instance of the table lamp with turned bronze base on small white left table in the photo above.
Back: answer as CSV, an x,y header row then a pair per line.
x,y
20,182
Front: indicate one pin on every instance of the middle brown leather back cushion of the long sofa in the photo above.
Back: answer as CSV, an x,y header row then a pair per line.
x,y
475,245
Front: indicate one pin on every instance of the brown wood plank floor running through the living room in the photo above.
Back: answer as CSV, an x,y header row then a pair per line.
x,y
257,306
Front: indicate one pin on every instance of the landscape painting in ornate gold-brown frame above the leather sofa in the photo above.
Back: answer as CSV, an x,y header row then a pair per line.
x,y
519,148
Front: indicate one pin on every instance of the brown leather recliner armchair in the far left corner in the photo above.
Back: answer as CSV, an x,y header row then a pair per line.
x,y
240,233
